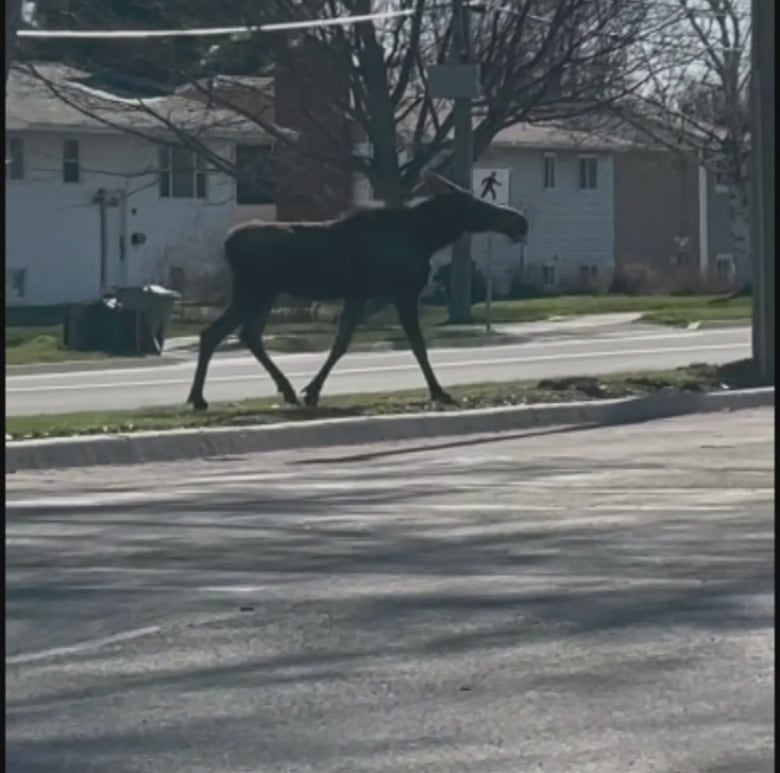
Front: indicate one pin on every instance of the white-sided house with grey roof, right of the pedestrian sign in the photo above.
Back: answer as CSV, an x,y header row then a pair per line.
x,y
564,182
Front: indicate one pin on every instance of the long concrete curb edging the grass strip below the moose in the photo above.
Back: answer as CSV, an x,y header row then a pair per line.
x,y
144,447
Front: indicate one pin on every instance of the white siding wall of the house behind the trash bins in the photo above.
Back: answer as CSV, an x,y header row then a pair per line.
x,y
53,227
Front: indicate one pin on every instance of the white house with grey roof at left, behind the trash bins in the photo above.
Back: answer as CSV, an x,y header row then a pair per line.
x,y
90,206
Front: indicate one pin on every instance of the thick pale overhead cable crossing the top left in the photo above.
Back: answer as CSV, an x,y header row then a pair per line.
x,y
209,31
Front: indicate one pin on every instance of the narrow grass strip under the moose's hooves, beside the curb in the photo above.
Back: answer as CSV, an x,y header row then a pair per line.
x,y
700,378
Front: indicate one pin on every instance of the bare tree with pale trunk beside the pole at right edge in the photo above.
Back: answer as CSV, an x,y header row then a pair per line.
x,y
695,100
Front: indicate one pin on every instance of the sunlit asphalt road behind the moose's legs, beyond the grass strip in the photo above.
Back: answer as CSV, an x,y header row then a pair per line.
x,y
234,376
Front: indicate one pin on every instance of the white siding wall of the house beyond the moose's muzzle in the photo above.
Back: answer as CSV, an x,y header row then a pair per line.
x,y
568,225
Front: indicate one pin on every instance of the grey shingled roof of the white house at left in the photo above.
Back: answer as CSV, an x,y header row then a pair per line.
x,y
31,103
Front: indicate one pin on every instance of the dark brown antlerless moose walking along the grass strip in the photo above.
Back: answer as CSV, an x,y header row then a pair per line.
x,y
382,253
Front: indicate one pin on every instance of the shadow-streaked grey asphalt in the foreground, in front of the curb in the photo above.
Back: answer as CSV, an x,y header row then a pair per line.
x,y
592,600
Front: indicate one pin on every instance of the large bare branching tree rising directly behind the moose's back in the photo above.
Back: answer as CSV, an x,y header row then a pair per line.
x,y
541,60
